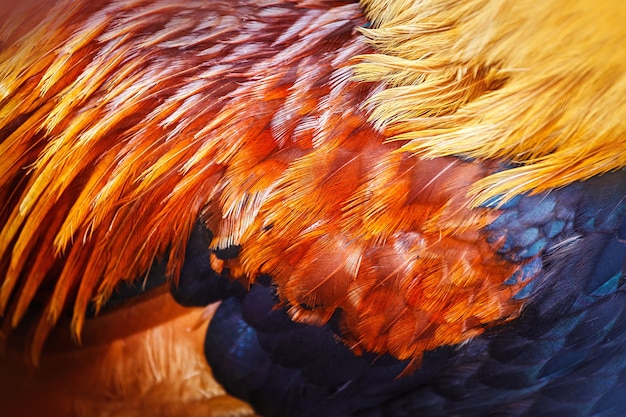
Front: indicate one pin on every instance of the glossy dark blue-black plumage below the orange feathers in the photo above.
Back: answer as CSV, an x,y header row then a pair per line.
x,y
564,356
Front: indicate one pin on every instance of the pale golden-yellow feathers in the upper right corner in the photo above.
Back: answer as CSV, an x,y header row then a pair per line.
x,y
536,83
